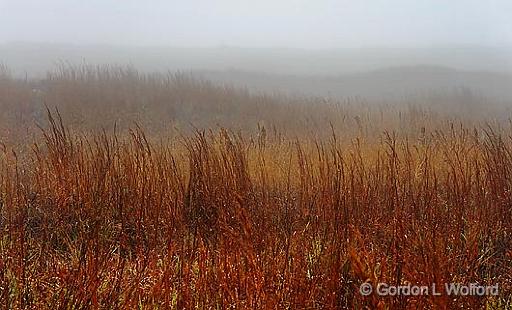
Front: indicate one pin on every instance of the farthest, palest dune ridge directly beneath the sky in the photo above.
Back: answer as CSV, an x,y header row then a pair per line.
x,y
38,58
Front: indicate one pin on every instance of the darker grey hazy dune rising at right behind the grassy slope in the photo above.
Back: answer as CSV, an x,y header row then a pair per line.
x,y
387,83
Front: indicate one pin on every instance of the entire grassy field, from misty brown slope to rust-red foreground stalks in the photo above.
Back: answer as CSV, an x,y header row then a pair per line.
x,y
120,190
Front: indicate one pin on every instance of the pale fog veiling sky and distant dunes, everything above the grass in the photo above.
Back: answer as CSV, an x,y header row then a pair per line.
x,y
325,47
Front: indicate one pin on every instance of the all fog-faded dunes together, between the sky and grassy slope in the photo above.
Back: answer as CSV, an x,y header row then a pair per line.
x,y
372,72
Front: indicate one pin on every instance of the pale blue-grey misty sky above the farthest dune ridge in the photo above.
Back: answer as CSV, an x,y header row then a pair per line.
x,y
262,23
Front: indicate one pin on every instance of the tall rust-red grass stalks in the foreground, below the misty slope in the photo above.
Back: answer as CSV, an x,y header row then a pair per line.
x,y
223,220
